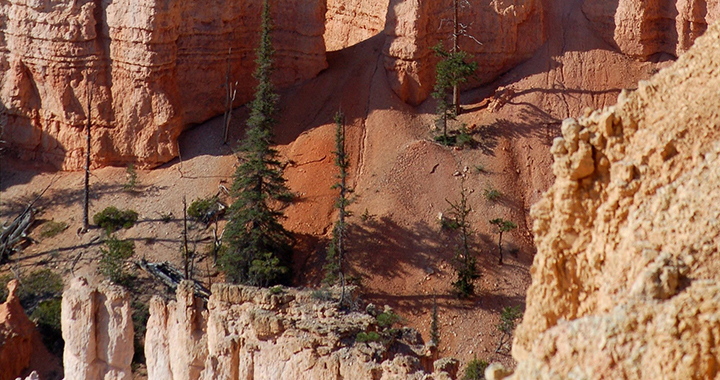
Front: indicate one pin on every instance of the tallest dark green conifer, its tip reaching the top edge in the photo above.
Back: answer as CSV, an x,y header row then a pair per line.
x,y
259,247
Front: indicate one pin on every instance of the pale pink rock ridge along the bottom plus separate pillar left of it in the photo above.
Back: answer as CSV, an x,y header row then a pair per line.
x,y
239,333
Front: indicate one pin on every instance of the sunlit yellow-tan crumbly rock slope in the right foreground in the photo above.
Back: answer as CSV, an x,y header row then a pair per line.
x,y
625,281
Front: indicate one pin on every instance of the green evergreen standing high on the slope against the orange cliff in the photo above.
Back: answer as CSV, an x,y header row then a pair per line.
x,y
451,71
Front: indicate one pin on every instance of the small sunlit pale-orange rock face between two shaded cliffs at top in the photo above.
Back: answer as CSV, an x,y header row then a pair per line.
x,y
348,22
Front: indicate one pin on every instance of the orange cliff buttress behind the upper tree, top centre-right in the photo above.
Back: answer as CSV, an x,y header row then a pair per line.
x,y
503,33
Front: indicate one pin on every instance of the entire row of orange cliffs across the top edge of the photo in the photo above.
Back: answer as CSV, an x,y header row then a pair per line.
x,y
154,67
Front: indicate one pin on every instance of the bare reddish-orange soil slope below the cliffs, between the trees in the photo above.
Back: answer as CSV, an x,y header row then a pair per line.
x,y
402,180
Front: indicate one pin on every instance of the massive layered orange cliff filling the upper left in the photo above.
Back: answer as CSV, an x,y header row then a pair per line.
x,y
151,66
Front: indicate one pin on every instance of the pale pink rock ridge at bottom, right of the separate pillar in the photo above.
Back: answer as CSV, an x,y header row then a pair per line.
x,y
250,333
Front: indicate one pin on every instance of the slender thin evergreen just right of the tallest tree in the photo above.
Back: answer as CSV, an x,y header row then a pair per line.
x,y
336,250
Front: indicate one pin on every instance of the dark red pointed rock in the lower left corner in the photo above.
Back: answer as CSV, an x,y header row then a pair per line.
x,y
16,336
